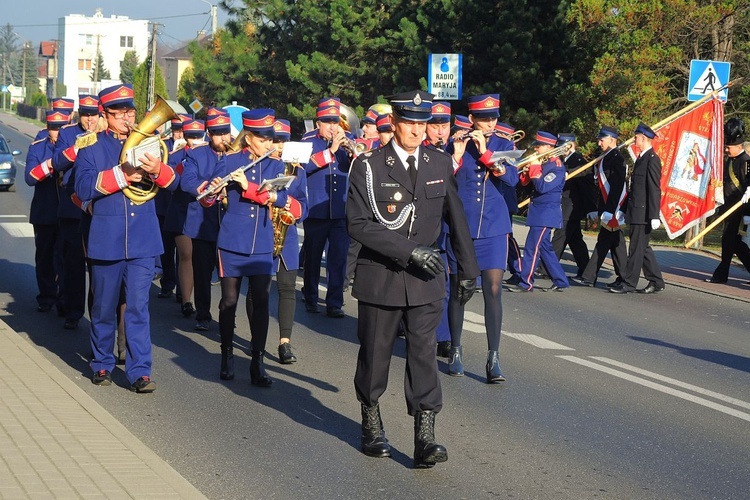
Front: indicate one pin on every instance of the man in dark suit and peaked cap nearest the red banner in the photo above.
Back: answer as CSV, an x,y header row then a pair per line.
x,y
643,216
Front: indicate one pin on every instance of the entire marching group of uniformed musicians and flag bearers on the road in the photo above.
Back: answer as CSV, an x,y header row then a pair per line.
x,y
428,208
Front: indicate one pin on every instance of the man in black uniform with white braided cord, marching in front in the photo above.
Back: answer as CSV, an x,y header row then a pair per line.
x,y
399,196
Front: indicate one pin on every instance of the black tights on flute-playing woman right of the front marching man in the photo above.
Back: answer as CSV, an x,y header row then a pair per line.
x,y
492,281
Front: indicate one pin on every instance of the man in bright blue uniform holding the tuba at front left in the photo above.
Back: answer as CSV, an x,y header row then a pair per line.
x,y
123,241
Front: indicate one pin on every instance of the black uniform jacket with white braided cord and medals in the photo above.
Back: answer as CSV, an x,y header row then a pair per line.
x,y
384,275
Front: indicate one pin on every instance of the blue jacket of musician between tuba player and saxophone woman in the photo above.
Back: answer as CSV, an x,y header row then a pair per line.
x,y
201,165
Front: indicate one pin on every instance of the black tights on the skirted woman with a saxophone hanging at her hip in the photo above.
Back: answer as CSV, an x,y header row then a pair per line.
x,y
256,304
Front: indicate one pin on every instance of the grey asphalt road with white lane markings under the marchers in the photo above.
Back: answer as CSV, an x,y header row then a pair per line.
x,y
647,397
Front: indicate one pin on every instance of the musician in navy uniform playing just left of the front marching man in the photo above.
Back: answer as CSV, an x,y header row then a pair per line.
x,y
326,222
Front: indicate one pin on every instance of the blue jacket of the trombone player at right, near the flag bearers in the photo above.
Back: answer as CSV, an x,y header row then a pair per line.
x,y
545,209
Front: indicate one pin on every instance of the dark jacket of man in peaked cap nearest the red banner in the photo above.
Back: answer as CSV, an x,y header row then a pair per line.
x,y
644,196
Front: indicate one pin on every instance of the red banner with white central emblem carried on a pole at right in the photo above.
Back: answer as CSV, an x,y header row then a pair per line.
x,y
691,151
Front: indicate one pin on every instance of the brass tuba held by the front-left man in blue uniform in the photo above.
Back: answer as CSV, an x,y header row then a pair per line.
x,y
161,113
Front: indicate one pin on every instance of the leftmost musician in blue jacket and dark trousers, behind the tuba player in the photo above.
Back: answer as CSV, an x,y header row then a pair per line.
x,y
43,216
